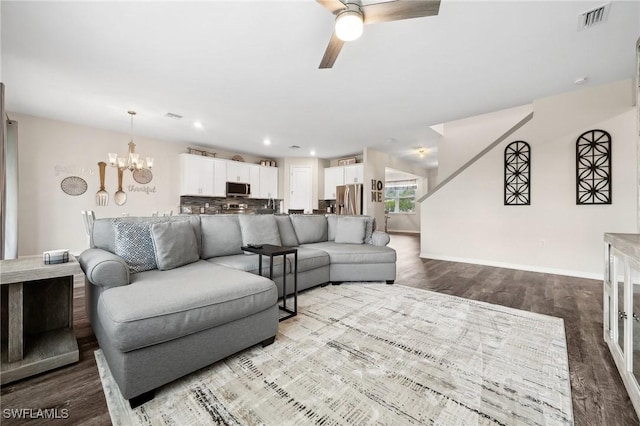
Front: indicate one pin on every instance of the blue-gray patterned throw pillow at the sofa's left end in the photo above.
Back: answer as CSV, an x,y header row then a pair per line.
x,y
134,244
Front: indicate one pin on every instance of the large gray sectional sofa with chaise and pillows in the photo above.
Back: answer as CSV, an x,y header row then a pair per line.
x,y
169,295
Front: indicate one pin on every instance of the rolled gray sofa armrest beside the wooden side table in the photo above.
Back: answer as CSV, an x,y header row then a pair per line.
x,y
104,268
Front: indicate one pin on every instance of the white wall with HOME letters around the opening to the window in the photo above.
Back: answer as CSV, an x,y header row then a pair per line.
x,y
375,163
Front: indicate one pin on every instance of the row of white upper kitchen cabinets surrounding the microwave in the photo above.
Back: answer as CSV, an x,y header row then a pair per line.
x,y
207,177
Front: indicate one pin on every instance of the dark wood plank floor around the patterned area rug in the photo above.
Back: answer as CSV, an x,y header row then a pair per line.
x,y
599,397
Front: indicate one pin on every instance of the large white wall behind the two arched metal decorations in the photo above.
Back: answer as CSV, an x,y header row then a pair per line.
x,y
467,220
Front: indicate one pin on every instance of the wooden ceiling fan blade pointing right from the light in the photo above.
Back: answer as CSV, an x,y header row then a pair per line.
x,y
399,10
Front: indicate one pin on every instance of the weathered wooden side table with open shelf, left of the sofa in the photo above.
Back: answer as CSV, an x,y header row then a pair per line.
x,y
37,305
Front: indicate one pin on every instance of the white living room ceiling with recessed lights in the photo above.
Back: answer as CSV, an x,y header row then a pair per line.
x,y
249,69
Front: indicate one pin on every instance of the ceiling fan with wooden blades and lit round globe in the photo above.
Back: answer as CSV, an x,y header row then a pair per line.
x,y
351,15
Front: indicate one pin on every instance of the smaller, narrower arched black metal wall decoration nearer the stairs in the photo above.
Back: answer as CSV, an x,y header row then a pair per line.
x,y
517,174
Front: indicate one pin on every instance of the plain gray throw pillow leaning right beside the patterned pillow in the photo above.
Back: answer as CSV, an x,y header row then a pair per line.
x,y
175,244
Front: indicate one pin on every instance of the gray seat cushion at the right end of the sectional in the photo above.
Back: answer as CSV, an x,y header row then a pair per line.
x,y
356,253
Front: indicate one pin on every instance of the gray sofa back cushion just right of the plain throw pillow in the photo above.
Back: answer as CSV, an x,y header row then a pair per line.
x,y
221,235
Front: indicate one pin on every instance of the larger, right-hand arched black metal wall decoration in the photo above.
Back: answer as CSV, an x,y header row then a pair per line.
x,y
593,168
